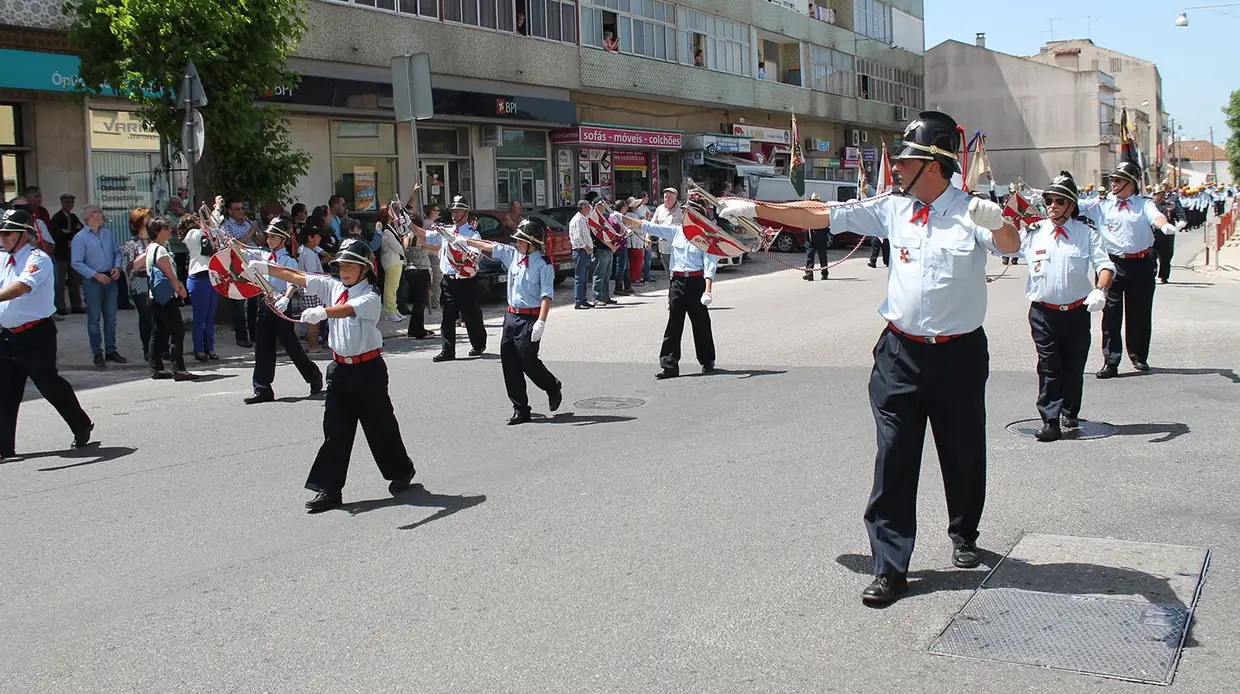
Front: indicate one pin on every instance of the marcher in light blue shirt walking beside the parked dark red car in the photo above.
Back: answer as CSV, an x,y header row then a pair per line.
x,y
458,294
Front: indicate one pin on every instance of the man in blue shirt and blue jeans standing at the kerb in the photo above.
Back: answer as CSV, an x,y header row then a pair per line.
x,y
96,257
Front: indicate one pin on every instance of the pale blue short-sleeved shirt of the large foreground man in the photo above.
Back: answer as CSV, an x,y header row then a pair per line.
x,y
937,281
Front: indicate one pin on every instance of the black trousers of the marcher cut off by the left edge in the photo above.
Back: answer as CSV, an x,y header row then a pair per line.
x,y
32,355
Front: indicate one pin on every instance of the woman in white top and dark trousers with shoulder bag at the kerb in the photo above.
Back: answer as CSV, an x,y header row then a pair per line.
x,y
166,288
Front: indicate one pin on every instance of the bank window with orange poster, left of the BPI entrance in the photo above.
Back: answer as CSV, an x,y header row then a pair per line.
x,y
364,163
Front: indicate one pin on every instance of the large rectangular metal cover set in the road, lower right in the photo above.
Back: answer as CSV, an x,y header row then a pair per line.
x,y
1118,639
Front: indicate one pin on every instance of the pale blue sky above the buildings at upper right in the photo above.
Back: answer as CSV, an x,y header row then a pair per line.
x,y
1197,76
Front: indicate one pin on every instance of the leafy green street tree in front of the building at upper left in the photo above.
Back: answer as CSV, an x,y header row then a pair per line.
x,y
241,49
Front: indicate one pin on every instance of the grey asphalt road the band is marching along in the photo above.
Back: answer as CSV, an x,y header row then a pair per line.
x,y
707,538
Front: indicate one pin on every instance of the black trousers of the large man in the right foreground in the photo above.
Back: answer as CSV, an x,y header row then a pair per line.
x,y
912,384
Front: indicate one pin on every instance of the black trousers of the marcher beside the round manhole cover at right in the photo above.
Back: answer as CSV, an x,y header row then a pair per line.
x,y
1062,340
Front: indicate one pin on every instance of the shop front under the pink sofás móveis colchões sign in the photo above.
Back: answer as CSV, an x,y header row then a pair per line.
x,y
614,162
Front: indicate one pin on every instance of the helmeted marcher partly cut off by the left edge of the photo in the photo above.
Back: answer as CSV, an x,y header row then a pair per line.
x,y
28,333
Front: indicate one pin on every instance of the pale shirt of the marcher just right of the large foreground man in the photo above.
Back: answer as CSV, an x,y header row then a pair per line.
x,y
1060,263
